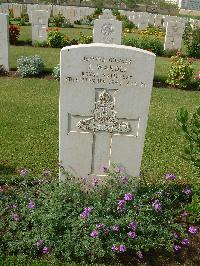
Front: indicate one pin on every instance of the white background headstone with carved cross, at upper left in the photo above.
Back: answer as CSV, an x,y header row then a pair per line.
x,y
39,25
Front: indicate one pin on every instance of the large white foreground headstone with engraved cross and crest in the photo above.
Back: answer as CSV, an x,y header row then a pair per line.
x,y
104,100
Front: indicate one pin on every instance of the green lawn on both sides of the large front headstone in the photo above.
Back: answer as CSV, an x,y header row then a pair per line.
x,y
29,128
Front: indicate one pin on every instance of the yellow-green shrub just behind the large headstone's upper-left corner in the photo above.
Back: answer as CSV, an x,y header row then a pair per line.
x,y
56,39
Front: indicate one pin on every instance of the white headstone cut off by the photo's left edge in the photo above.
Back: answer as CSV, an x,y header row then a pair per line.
x,y
4,41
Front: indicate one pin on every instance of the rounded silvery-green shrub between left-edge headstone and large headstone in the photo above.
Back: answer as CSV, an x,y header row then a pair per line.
x,y
28,66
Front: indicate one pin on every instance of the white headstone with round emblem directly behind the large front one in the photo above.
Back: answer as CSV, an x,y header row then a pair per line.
x,y
107,29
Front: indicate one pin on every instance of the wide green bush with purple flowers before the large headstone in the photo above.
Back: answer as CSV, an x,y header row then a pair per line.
x,y
110,221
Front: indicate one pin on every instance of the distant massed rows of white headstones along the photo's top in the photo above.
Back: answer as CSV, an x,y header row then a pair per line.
x,y
74,13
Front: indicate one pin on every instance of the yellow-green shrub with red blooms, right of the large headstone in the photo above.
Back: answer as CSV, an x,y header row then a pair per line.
x,y
180,72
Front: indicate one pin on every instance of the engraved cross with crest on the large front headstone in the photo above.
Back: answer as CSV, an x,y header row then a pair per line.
x,y
104,125
